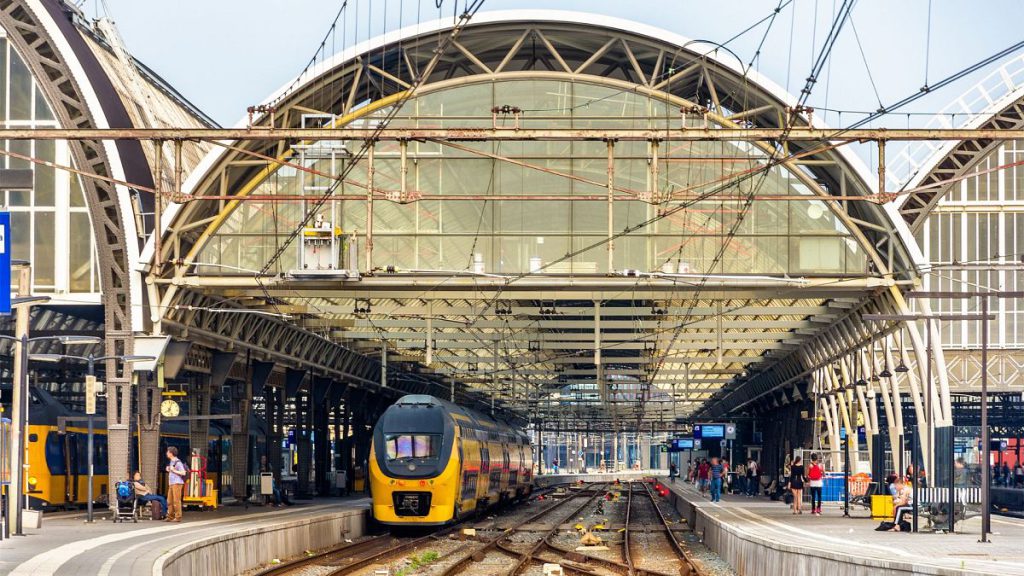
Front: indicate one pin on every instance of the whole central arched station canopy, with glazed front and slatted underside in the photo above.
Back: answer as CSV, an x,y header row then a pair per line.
x,y
526,225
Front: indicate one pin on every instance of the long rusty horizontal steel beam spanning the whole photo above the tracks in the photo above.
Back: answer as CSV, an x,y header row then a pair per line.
x,y
510,135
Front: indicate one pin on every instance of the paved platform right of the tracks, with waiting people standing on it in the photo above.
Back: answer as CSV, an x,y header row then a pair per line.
x,y
761,537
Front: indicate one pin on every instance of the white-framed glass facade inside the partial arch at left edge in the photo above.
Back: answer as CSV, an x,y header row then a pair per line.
x,y
51,226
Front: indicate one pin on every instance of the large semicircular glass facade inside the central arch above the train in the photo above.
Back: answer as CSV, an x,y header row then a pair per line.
x,y
516,208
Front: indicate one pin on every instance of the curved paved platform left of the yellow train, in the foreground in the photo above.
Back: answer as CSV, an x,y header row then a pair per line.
x,y
230,541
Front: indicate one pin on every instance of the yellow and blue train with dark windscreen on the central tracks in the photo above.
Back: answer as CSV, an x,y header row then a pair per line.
x,y
434,463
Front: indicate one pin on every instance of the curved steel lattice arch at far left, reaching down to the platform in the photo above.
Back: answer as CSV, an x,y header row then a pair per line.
x,y
42,40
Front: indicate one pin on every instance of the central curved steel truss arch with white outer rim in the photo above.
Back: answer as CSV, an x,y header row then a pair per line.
x,y
379,70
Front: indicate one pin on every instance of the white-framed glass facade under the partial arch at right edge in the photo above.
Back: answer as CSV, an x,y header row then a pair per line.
x,y
975,240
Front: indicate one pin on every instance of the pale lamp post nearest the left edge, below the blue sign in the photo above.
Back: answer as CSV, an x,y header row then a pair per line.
x,y
20,407
